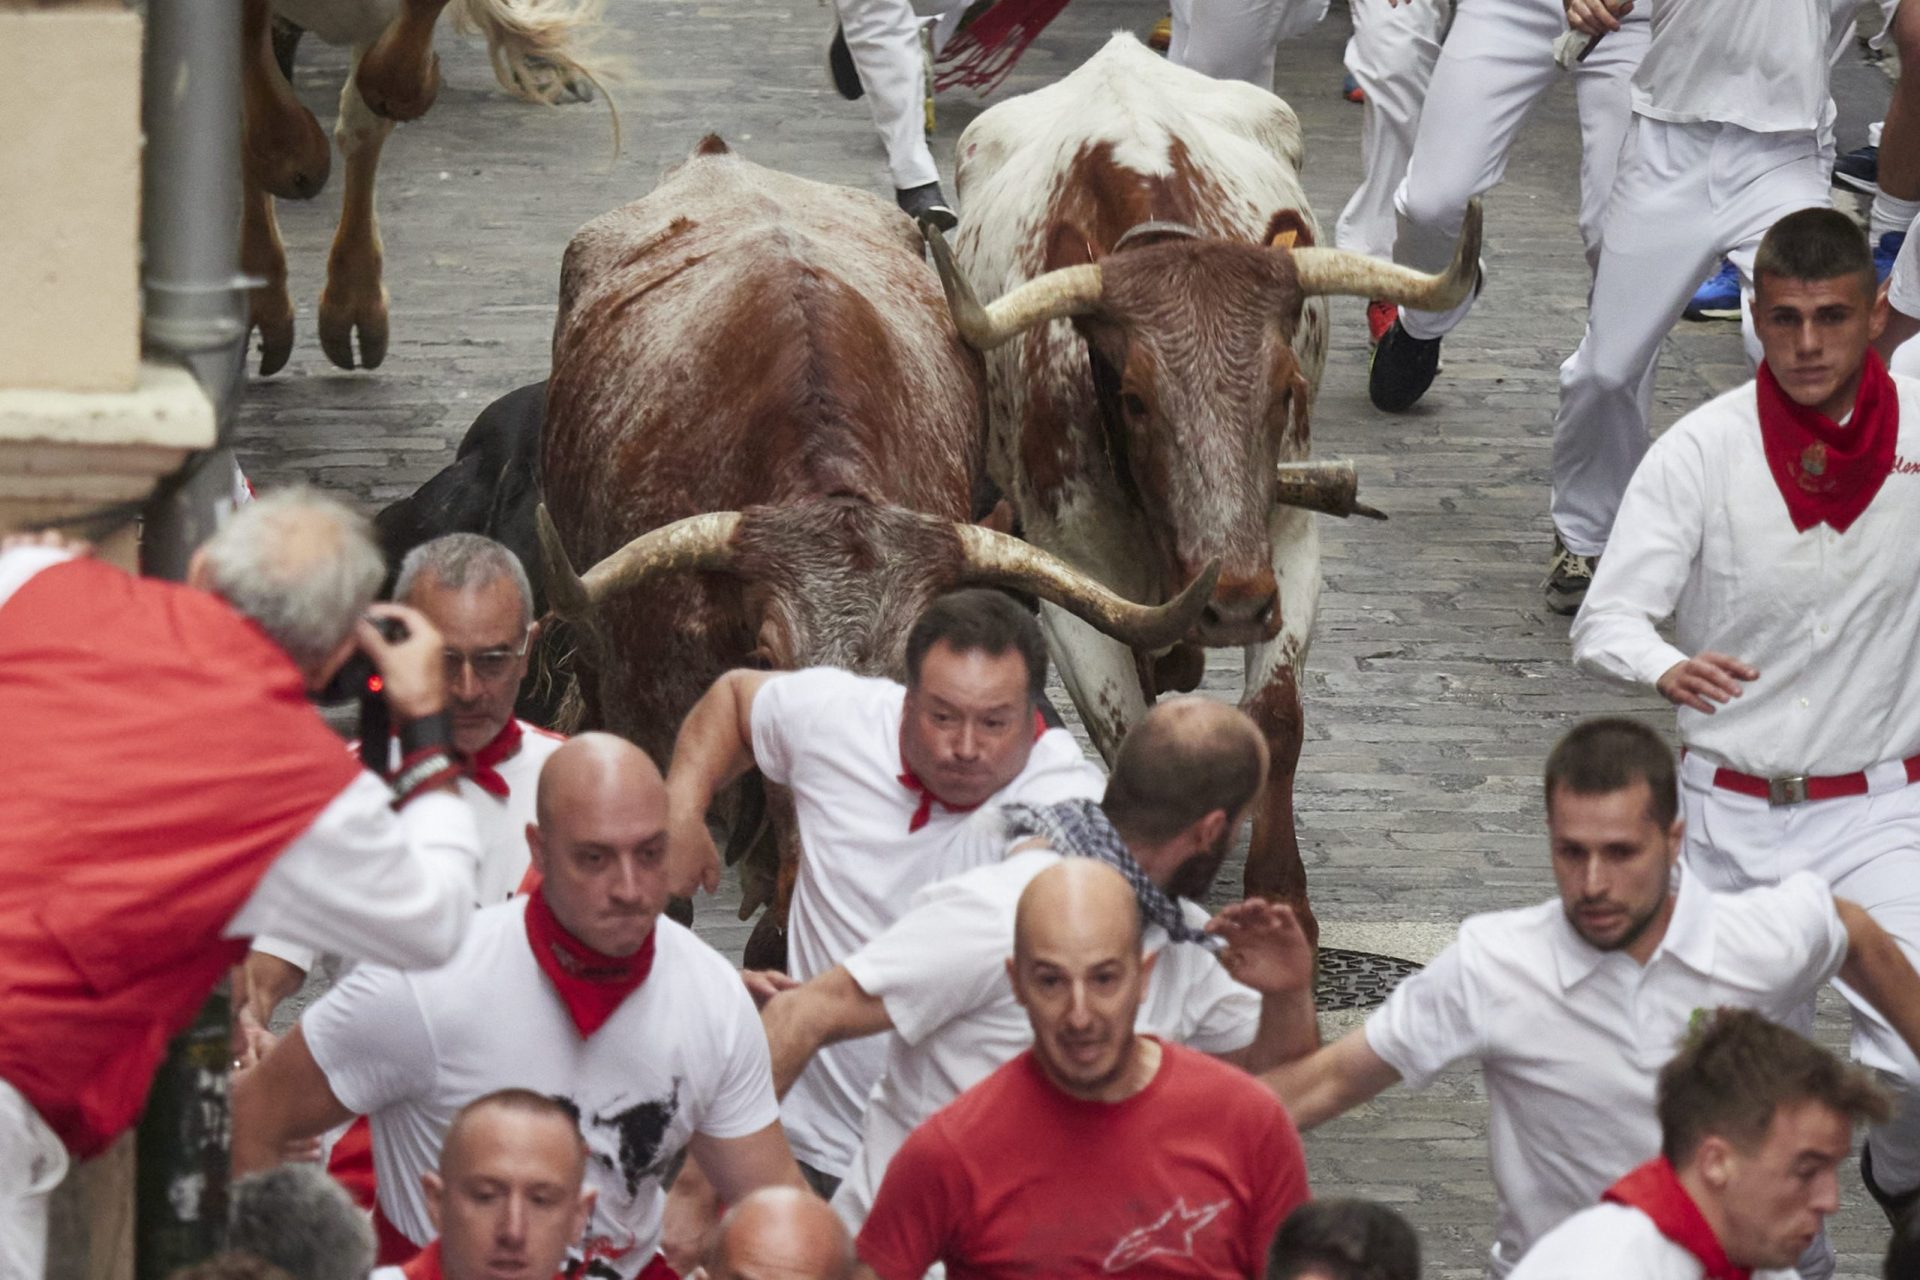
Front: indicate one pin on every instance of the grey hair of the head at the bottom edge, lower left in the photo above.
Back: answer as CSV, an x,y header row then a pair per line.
x,y
302,1221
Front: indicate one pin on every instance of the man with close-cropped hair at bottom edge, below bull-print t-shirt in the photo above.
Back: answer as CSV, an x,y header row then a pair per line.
x,y
510,1195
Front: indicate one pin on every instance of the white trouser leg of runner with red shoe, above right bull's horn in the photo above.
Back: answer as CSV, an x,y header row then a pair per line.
x,y
1393,59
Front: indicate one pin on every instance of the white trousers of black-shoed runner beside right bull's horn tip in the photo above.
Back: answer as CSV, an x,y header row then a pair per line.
x,y
1497,64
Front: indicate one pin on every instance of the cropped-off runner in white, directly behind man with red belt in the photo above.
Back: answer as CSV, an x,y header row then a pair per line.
x,y
1731,108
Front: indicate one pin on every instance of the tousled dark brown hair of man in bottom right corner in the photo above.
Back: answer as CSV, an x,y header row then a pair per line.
x,y
1737,1070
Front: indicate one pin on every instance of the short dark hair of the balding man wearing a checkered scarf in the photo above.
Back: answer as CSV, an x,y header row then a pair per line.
x,y
1184,761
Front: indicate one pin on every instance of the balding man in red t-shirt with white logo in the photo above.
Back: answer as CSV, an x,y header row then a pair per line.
x,y
1099,1150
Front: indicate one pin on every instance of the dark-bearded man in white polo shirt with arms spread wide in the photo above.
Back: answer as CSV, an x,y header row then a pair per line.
x,y
1572,1007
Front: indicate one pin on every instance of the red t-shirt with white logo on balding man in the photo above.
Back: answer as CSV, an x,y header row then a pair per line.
x,y
1189,1177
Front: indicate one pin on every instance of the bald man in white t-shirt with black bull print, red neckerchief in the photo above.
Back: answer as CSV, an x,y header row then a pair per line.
x,y
579,991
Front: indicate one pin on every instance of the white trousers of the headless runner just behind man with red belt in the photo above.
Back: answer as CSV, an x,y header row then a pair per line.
x,y
1687,195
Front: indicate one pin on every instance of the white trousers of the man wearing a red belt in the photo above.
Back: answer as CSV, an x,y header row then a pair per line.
x,y
1869,851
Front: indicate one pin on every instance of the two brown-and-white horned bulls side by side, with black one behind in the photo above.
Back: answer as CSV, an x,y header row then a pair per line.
x,y
773,431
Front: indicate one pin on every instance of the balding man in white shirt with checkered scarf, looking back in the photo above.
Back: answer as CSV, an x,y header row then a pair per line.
x,y
1184,782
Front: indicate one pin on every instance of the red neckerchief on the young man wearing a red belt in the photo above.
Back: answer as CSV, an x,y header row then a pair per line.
x,y
1827,471
